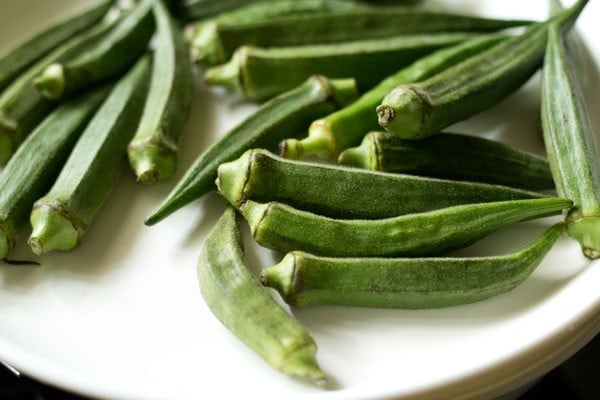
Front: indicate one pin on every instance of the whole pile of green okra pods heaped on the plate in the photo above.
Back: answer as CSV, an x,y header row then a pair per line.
x,y
346,167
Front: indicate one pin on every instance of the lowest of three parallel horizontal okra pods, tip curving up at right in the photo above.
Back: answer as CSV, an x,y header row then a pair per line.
x,y
303,279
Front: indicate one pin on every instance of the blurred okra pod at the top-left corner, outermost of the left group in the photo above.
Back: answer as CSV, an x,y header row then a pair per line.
x,y
23,55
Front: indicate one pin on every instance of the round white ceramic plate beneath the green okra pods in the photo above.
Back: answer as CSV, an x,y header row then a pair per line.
x,y
122,317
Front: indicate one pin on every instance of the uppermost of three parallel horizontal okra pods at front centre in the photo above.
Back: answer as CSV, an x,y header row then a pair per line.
x,y
341,192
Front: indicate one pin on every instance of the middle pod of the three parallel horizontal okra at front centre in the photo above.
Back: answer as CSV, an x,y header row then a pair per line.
x,y
283,228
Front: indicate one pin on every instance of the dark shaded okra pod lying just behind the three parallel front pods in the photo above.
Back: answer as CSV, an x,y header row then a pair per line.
x,y
452,156
